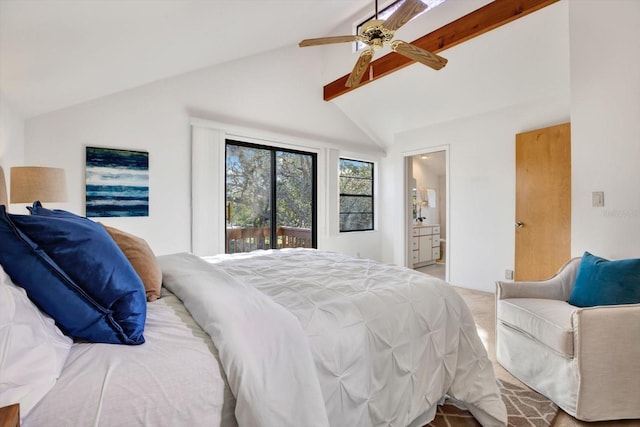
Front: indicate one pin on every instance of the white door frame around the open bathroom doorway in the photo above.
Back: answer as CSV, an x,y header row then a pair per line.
x,y
407,236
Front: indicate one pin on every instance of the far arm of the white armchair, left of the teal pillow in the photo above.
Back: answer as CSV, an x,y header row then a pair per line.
x,y
557,287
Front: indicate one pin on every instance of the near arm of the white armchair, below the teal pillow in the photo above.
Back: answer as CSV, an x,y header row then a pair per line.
x,y
607,351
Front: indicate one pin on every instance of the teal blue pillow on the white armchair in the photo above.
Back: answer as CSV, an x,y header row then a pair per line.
x,y
603,282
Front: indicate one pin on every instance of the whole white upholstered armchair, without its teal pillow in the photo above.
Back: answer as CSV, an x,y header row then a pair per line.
x,y
586,360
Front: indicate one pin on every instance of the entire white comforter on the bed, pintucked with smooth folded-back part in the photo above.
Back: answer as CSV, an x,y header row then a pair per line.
x,y
387,343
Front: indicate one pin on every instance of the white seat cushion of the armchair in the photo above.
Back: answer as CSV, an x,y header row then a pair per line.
x,y
545,320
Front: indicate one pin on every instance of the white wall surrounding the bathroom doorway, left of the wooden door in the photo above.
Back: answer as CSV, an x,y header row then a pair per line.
x,y
480,235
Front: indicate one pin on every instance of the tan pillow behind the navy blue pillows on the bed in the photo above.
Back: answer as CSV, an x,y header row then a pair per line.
x,y
142,258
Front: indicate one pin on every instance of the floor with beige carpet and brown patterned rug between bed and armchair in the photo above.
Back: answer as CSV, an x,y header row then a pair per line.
x,y
517,396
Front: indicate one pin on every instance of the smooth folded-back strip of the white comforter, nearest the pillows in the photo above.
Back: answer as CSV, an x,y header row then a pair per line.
x,y
262,348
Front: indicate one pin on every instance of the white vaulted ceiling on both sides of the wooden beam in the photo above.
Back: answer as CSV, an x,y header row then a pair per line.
x,y
54,54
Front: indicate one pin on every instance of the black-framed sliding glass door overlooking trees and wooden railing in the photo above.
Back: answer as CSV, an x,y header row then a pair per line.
x,y
270,198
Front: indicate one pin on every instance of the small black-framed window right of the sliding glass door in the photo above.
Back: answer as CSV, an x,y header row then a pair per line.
x,y
356,195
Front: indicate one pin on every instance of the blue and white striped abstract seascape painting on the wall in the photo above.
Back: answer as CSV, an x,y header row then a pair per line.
x,y
117,182
